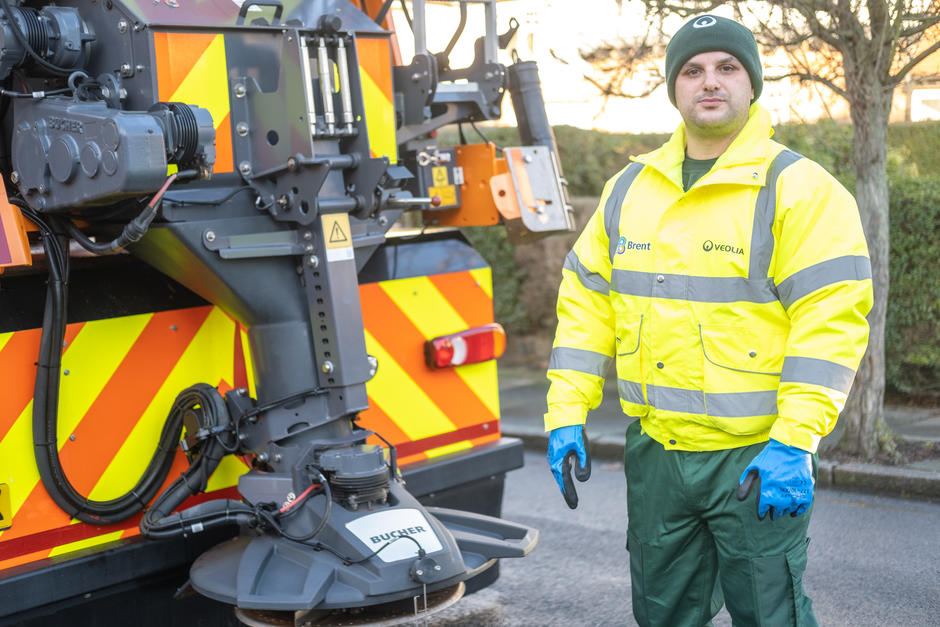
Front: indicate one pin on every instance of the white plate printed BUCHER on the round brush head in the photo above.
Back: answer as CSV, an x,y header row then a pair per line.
x,y
375,530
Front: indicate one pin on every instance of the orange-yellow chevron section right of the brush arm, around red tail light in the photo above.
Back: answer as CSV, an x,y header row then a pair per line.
x,y
427,412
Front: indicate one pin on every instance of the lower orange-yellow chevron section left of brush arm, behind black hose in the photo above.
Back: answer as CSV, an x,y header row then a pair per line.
x,y
120,377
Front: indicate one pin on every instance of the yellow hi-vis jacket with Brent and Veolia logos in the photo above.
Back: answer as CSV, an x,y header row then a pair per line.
x,y
734,311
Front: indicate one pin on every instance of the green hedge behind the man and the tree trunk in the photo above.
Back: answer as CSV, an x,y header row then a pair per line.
x,y
913,320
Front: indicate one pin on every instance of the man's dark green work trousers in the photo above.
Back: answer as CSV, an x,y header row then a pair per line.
x,y
694,546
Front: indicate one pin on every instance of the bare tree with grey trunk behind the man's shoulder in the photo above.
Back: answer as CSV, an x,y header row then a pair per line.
x,y
861,50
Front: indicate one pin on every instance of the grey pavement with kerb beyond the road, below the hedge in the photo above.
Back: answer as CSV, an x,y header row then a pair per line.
x,y
522,404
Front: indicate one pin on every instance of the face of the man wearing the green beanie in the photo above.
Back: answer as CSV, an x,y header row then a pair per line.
x,y
713,94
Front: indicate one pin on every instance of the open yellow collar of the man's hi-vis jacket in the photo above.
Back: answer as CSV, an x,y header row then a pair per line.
x,y
744,162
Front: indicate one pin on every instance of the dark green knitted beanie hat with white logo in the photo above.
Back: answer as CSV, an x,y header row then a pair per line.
x,y
708,33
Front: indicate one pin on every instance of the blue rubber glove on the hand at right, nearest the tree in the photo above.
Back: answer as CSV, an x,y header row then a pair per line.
x,y
784,478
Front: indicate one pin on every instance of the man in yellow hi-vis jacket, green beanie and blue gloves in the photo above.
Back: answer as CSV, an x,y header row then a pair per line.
x,y
728,279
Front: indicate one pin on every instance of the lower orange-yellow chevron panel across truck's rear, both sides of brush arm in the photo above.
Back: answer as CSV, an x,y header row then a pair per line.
x,y
121,375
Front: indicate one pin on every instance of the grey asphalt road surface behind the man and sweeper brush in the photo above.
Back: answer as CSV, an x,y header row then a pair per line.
x,y
872,560
